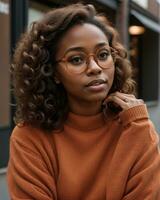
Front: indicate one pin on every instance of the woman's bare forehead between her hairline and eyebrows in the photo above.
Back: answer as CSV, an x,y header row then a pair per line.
x,y
83,35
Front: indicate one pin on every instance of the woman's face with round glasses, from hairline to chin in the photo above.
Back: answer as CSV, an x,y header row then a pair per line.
x,y
86,68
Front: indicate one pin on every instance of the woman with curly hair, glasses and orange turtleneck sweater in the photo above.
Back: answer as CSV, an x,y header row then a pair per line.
x,y
81,134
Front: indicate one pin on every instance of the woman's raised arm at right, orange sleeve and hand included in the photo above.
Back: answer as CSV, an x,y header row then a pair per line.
x,y
138,149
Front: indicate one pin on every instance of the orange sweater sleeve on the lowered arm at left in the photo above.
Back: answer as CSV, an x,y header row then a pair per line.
x,y
28,175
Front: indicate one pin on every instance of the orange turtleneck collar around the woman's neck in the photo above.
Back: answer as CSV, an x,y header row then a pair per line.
x,y
85,123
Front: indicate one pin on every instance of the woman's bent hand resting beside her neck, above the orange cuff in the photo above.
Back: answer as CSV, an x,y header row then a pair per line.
x,y
124,101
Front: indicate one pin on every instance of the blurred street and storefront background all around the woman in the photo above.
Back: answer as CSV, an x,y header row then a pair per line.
x,y
138,23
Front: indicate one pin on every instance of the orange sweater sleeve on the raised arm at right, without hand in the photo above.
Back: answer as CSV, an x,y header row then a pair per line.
x,y
144,177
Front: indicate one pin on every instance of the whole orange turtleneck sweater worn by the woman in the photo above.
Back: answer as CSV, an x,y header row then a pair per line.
x,y
91,159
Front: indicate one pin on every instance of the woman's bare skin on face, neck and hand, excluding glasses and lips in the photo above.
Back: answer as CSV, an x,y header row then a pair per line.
x,y
85,100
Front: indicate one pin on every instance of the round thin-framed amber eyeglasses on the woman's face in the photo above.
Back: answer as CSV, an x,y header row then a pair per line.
x,y
77,62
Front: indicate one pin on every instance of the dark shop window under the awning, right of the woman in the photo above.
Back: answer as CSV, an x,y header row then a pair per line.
x,y
144,54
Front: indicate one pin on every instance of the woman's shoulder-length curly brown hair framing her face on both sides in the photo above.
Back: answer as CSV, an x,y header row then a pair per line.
x,y
40,101
